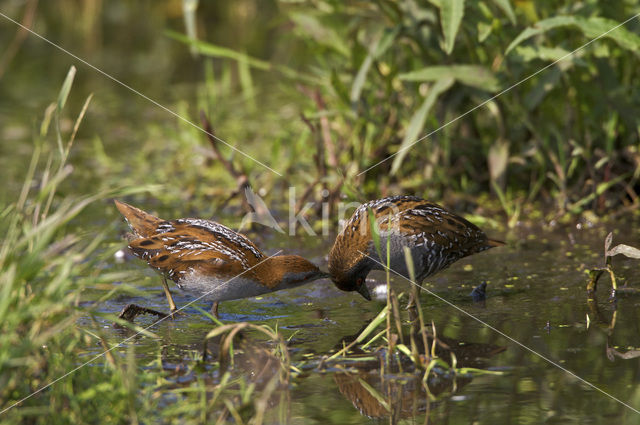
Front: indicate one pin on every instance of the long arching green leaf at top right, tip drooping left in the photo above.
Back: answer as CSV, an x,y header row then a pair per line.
x,y
591,27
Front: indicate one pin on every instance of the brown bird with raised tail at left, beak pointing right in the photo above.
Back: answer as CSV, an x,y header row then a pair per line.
x,y
207,259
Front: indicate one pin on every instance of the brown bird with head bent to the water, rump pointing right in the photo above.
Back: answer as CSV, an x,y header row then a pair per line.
x,y
436,238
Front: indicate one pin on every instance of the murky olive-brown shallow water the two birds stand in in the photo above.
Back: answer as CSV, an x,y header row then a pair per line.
x,y
536,298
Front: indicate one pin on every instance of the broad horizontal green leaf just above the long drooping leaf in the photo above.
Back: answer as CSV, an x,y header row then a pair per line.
x,y
471,75
